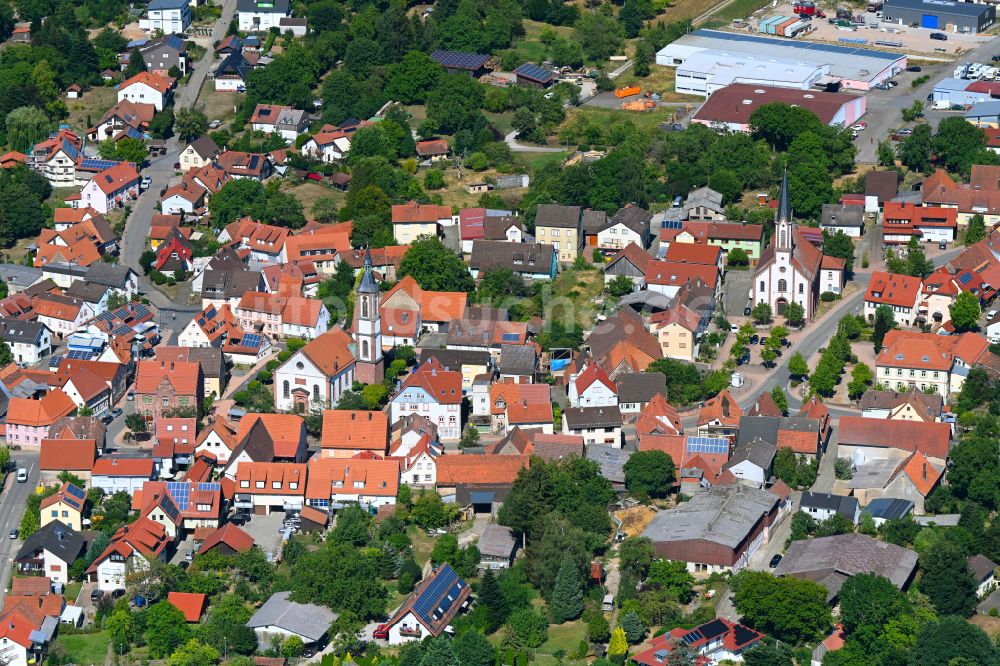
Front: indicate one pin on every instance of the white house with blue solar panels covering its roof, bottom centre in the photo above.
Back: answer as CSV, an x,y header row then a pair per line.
x,y
430,608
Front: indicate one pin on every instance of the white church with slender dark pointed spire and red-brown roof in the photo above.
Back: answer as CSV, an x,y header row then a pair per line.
x,y
789,269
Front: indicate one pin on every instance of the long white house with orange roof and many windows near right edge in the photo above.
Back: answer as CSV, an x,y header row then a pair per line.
x,y
911,359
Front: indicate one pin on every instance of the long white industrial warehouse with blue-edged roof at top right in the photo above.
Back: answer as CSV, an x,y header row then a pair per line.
x,y
707,60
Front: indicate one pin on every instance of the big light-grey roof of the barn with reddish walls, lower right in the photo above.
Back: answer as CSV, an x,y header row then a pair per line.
x,y
722,514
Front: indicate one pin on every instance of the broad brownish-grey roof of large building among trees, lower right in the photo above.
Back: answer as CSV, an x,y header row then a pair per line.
x,y
830,561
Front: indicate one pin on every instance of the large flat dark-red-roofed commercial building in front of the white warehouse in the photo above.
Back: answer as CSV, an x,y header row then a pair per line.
x,y
731,107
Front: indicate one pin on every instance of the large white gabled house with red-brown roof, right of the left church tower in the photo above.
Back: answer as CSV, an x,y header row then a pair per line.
x,y
434,392
